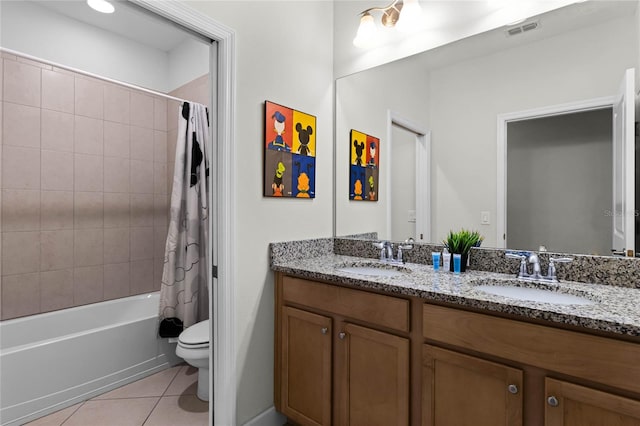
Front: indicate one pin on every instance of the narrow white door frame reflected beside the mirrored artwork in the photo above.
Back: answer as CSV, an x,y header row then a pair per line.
x,y
423,173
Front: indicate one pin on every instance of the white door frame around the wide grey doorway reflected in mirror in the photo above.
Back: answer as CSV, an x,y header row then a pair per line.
x,y
530,114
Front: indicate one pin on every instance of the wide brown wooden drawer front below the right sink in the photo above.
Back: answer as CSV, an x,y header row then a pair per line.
x,y
600,359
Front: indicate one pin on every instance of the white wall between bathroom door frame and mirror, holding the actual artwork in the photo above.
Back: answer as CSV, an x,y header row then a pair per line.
x,y
284,54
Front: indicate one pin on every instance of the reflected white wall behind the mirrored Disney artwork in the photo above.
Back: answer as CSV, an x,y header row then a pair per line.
x,y
362,103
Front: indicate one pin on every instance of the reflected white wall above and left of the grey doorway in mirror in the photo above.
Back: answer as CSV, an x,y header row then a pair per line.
x,y
467,97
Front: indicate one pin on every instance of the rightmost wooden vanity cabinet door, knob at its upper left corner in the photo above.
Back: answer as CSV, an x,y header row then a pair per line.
x,y
573,405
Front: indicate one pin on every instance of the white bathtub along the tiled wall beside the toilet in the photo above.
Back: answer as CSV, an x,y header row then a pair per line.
x,y
53,360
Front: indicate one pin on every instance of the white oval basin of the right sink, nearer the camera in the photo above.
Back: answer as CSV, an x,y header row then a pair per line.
x,y
551,295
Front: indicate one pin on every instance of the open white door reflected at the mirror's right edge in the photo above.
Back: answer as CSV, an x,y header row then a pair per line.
x,y
623,211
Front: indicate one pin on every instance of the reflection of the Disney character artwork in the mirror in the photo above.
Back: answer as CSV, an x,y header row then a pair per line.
x,y
364,166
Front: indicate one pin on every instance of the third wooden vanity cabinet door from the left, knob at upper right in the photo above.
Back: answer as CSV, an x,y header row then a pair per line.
x,y
461,390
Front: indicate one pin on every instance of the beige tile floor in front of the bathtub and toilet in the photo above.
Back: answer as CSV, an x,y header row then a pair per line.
x,y
167,398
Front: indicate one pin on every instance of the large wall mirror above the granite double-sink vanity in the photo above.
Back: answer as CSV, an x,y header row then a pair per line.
x,y
575,58
